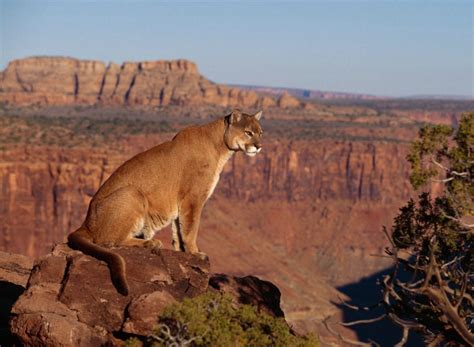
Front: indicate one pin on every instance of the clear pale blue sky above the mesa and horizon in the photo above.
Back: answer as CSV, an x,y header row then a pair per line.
x,y
391,48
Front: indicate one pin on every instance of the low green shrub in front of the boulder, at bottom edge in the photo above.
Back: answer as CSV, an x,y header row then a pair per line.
x,y
213,320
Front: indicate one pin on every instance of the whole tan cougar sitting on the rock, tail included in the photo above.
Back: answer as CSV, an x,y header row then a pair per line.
x,y
169,183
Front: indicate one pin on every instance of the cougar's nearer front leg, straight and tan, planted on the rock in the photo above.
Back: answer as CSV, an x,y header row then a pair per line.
x,y
189,219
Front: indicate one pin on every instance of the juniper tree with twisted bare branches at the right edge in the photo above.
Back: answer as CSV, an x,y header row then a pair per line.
x,y
430,289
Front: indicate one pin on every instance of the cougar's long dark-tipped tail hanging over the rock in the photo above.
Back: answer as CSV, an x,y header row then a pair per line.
x,y
81,240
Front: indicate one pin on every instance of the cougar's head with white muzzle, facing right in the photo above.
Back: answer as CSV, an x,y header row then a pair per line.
x,y
243,132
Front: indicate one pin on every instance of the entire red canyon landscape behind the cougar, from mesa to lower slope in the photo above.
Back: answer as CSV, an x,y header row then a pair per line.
x,y
307,213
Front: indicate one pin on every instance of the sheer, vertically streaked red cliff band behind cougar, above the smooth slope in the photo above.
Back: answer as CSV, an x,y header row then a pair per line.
x,y
51,189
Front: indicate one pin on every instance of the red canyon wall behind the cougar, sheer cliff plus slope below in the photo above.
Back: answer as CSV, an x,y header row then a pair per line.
x,y
298,212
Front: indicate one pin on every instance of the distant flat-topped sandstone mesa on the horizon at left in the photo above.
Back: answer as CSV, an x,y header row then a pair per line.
x,y
65,81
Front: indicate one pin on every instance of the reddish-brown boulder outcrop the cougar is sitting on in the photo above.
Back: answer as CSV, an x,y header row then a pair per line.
x,y
70,299
